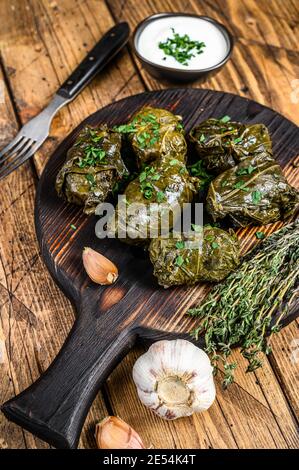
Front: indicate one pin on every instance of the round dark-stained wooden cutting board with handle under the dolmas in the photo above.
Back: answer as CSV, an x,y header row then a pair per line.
x,y
110,319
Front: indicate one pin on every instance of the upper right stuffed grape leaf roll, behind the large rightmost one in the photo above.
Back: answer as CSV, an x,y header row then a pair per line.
x,y
222,145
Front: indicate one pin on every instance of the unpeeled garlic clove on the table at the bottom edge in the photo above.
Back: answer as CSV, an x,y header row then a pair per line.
x,y
114,433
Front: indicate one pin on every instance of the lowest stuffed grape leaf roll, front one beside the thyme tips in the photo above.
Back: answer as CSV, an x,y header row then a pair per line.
x,y
207,254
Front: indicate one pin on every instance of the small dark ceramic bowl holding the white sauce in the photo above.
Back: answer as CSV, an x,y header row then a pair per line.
x,y
171,73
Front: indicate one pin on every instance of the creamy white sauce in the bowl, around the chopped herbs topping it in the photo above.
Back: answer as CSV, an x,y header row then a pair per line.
x,y
197,29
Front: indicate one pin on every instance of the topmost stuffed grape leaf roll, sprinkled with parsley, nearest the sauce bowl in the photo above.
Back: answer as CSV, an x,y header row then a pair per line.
x,y
148,133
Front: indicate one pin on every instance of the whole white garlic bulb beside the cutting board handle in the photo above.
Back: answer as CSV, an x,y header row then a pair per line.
x,y
174,379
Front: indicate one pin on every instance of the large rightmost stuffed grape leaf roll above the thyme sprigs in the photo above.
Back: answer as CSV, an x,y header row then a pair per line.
x,y
253,192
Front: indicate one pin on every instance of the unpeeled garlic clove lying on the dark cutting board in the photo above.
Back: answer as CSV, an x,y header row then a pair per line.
x,y
99,268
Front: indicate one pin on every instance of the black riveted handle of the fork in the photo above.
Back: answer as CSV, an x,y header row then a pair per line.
x,y
107,47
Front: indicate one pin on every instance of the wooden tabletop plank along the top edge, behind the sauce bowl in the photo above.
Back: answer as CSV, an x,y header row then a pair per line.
x,y
274,22
